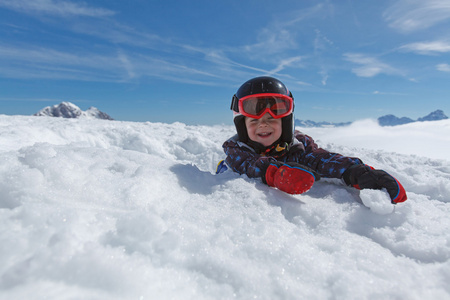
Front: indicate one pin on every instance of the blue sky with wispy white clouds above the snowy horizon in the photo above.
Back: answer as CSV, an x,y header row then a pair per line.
x,y
167,61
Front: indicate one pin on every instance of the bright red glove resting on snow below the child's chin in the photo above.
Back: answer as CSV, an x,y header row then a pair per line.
x,y
291,178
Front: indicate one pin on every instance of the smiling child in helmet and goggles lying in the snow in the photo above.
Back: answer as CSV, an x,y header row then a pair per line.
x,y
267,147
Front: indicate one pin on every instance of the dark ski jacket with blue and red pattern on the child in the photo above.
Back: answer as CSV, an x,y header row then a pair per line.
x,y
243,159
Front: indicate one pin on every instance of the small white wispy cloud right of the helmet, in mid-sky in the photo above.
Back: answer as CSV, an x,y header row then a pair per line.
x,y
369,66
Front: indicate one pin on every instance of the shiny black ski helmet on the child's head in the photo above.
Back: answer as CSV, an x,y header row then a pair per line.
x,y
259,85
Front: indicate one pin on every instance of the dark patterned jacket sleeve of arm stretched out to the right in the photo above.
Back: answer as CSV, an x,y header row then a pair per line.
x,y
327,164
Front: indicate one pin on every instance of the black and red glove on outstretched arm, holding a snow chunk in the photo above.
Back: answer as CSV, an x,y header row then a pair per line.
x,y
366,177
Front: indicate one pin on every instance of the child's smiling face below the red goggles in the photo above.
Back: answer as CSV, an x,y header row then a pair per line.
x,y
265,130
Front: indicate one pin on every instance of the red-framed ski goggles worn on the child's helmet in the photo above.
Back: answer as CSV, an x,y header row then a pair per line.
x,y
256,106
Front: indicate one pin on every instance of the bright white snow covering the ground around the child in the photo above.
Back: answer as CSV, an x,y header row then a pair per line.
x,y
94,209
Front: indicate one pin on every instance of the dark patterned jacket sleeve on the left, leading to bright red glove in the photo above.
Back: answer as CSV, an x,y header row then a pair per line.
x,y
245,161
